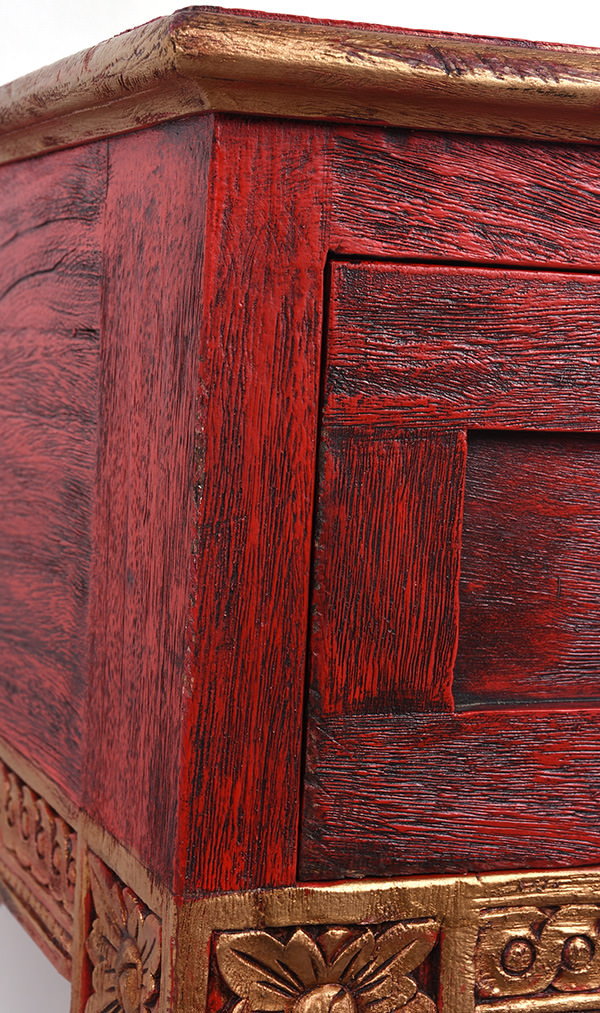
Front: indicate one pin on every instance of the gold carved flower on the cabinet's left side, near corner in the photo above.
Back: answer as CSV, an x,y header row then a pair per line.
x,y
124,948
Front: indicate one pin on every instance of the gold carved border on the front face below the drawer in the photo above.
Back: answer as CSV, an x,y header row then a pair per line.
x,y
518,944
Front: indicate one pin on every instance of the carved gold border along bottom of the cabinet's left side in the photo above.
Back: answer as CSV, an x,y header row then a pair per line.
x,y
104,933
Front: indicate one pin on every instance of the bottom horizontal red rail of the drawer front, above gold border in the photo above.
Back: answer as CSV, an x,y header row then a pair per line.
x,y
441,794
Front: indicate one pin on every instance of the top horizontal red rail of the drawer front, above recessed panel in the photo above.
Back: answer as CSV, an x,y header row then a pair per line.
x,y
464,347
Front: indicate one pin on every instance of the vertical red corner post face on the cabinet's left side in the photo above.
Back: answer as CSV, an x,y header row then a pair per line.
x,y
144,523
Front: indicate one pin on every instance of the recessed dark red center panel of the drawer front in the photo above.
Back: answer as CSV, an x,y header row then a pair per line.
x,y
531,570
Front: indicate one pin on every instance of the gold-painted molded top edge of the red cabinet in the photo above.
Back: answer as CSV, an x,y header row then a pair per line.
x,y
210,59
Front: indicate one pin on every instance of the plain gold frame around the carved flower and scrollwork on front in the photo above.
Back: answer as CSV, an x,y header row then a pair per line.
x,y
458,902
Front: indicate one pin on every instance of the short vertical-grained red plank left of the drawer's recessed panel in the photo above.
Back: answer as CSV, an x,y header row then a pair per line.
x,y
386,570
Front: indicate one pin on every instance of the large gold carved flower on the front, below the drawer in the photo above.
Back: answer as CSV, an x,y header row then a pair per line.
x,y
342,971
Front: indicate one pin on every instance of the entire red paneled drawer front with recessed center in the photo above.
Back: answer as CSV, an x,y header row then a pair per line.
x,y
456,678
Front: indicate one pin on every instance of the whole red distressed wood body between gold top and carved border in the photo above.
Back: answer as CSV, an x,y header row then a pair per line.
x,y
163,431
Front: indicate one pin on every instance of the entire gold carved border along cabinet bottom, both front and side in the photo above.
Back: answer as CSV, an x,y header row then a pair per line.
x,y
519,944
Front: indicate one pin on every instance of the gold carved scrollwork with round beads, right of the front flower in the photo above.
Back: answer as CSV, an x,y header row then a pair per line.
x,y
530,952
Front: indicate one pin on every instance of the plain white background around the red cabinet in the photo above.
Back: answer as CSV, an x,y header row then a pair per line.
x,y
41,32
